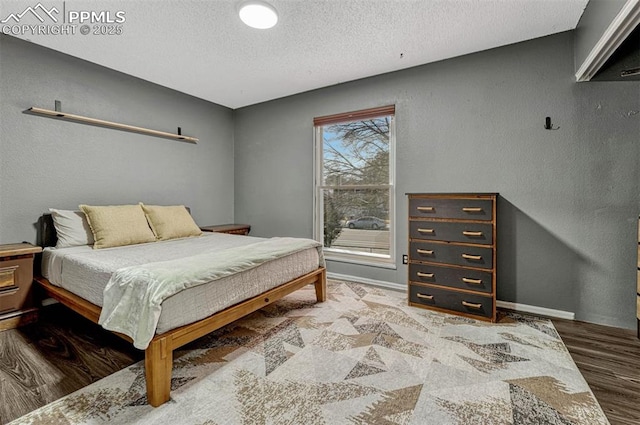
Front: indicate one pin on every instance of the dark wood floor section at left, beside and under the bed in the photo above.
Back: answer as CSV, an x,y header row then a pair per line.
x,y
56,356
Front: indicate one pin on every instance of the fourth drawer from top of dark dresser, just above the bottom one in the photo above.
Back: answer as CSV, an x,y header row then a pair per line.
x,y
474,280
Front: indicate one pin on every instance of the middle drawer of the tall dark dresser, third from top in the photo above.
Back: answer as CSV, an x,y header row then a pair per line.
x,y
471,256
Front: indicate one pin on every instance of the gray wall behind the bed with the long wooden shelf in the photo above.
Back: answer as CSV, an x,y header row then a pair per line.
x,y
49,163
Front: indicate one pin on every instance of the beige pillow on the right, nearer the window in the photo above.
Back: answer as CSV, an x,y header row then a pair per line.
x,y
171,222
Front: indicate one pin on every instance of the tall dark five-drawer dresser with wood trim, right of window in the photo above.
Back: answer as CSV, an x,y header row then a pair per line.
x,y
452,253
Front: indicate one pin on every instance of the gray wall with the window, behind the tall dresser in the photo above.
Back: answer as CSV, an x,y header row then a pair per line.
x,y
570,197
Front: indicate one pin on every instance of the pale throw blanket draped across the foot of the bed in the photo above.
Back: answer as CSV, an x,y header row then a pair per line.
x,y
133,296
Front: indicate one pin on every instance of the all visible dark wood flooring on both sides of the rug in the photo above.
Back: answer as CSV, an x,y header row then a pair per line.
x,y
63,352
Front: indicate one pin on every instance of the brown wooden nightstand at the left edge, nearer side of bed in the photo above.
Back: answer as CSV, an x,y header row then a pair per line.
x,y
16,277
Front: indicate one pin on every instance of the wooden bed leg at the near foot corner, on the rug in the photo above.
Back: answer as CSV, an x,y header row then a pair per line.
x,y
158,362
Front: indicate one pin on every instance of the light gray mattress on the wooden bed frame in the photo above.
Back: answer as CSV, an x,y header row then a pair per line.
x,y
85,272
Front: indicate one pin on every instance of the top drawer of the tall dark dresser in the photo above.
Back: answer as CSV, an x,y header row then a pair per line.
x,y
469,209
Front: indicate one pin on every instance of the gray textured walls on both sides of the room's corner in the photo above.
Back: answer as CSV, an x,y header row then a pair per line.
x,y
570,197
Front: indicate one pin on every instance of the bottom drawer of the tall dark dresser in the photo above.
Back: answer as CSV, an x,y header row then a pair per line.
x,y
463,302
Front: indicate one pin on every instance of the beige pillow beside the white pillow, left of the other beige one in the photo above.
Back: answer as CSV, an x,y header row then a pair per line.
x,y
118,225
